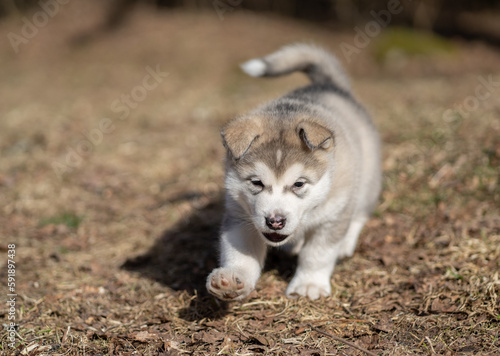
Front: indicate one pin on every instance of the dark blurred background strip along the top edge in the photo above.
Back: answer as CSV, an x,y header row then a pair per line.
x,y
469,19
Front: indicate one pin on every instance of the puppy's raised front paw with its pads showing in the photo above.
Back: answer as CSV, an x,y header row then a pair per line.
x,y
227,284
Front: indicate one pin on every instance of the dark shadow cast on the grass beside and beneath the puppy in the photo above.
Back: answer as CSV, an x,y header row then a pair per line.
x,y
183,256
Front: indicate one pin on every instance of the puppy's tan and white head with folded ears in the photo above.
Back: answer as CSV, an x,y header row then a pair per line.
x,y
277,171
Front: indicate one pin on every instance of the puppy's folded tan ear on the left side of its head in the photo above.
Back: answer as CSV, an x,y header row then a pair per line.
x,y
239,135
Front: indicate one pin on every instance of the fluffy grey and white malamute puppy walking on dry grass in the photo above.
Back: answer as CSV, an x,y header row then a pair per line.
x,y
302,171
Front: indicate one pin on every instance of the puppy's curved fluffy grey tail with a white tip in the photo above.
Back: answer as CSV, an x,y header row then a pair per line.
x,y
320,66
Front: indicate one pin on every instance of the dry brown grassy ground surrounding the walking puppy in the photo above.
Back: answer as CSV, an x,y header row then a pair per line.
x,y
111,183
